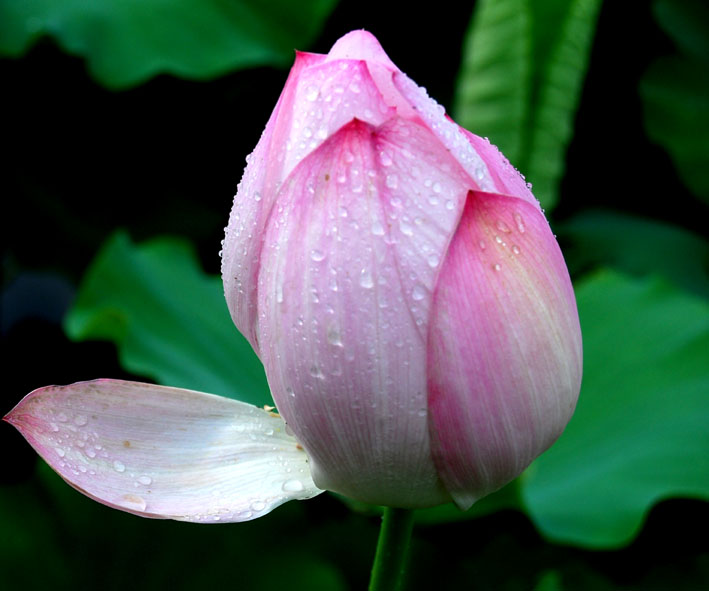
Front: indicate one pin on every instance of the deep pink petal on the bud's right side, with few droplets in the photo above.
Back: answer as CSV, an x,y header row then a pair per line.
x,y
504,355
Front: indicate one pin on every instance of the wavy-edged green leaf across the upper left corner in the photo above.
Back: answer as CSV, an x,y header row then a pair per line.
x,y
126,42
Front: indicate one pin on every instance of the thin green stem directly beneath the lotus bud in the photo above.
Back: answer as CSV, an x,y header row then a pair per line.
x,y
392,548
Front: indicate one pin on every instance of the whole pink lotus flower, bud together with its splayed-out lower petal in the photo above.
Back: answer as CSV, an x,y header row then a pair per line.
x,y
408,300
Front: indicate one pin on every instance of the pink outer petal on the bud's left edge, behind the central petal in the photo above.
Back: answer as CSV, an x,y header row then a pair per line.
x,y
319,98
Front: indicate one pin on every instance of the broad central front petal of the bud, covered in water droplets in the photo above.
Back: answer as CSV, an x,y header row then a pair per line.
x,y
344,296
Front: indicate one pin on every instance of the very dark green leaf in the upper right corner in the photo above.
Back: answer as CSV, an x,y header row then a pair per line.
x,y
675,92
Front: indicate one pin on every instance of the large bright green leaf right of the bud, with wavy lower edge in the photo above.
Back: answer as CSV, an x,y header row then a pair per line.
x,y
639,433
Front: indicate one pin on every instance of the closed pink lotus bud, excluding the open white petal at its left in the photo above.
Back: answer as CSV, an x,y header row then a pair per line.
x,y
402,287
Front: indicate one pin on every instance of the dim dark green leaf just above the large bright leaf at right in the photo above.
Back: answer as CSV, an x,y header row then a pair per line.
x,y
637,246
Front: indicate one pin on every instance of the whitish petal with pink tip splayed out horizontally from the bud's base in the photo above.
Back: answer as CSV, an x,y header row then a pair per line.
x,y
165,452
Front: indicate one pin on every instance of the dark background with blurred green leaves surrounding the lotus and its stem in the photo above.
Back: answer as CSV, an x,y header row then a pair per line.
x,y
126,125
